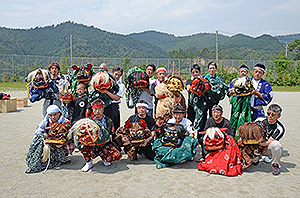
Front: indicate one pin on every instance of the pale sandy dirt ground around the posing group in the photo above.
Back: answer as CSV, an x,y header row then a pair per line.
x,y
141,179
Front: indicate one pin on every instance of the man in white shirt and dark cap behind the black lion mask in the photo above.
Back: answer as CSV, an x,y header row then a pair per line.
x,y
179,118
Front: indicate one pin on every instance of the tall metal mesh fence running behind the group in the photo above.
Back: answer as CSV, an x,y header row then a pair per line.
x,y
16,67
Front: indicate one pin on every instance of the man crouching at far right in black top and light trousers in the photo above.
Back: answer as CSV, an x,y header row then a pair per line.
x,y
274,132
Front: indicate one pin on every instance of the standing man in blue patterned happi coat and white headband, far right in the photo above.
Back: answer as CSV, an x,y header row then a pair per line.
x,y
262,94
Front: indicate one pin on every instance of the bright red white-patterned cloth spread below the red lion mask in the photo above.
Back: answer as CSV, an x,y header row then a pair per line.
x,y
226,161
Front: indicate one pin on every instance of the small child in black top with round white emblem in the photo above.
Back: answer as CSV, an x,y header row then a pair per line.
x,y
80,103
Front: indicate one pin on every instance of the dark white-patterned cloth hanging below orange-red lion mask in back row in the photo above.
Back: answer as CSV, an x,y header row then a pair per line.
x,y
199,105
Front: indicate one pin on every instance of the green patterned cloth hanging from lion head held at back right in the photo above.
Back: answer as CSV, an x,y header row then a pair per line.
x,y
241,112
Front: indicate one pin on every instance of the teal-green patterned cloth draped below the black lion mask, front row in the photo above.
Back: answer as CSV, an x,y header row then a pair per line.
x,y
168,156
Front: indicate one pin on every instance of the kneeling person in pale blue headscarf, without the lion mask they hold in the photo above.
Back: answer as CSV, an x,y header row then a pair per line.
x,y
58,154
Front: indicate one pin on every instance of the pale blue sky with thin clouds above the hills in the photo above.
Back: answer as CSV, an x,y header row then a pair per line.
x,y
178,17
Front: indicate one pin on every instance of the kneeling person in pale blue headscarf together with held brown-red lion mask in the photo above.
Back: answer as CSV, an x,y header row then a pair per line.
x,y
49,147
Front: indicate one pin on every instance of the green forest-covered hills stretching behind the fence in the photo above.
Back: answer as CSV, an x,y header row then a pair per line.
x,y
89,41
